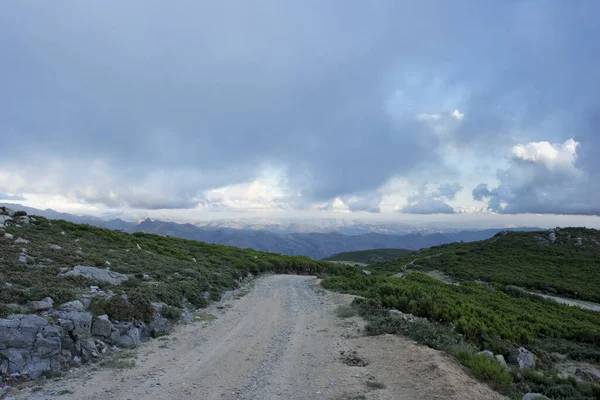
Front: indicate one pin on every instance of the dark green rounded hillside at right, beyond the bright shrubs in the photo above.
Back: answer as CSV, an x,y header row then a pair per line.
x,y
561,261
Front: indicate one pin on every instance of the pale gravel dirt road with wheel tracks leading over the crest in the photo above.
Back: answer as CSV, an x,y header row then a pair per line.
x,y
280,341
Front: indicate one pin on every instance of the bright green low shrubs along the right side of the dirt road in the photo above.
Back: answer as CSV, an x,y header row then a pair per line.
x,y
463,319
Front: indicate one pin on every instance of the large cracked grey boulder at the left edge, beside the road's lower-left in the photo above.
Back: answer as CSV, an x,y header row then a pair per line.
x,y
29,345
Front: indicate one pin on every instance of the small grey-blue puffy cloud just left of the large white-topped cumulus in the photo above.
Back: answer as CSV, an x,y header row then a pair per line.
x,y
426,202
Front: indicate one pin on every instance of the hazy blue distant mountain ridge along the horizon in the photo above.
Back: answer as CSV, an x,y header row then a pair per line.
x,y
317,245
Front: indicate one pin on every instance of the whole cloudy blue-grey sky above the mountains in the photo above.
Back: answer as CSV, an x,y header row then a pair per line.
x,y
387,109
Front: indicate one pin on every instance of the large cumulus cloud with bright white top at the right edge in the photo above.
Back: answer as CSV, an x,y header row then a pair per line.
x,y
543,178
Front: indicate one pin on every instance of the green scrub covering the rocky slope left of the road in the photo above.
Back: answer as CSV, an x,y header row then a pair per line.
x,y
159,268
